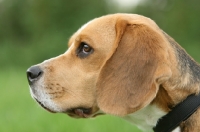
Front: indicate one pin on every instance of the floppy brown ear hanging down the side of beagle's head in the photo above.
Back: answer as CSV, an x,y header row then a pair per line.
x,y
127,80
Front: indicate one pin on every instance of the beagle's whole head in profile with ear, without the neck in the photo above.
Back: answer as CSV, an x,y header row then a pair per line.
x,y
114,64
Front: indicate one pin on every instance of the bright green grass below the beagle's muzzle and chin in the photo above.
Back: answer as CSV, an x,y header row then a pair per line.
x,y
19,113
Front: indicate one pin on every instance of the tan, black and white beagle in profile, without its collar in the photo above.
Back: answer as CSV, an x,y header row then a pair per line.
x,y
119,64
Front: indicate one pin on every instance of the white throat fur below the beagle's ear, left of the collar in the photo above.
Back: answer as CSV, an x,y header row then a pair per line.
x,y
146,118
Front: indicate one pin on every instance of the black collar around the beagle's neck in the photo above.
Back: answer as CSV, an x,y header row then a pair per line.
x,y
179,113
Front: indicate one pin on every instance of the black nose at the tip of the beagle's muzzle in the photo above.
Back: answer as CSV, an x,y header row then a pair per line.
x,y
33,74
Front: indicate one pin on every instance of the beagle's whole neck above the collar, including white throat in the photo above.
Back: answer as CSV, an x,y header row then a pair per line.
x,y
185,81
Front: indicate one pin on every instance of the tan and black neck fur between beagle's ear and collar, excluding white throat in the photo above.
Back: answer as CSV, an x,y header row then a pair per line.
x,y
185,78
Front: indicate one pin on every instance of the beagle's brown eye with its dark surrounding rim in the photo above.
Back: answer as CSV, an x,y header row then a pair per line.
x,y
84,50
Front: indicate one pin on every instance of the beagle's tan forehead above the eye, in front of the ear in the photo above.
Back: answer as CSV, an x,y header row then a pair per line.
x,y
99,29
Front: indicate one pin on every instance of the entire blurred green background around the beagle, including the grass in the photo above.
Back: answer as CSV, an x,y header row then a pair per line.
x,y
34,30
